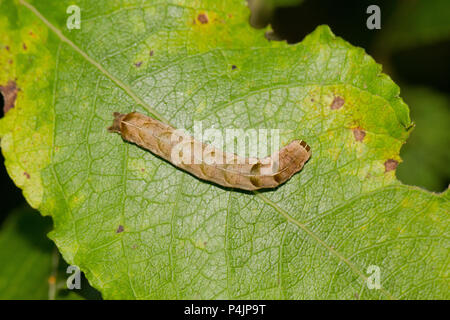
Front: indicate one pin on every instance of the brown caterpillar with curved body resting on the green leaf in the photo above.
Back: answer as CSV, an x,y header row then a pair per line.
x,y
233,171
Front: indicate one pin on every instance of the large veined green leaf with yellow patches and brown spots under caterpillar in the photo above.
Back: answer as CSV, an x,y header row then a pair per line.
x,y
314,237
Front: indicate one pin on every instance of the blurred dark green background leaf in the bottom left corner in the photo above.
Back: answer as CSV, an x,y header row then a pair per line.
x,y
30,265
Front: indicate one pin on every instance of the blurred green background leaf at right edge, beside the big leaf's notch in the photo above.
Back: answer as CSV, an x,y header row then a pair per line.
x,y
426,154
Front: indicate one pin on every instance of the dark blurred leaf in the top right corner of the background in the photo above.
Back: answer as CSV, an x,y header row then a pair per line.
x,y
414,43
